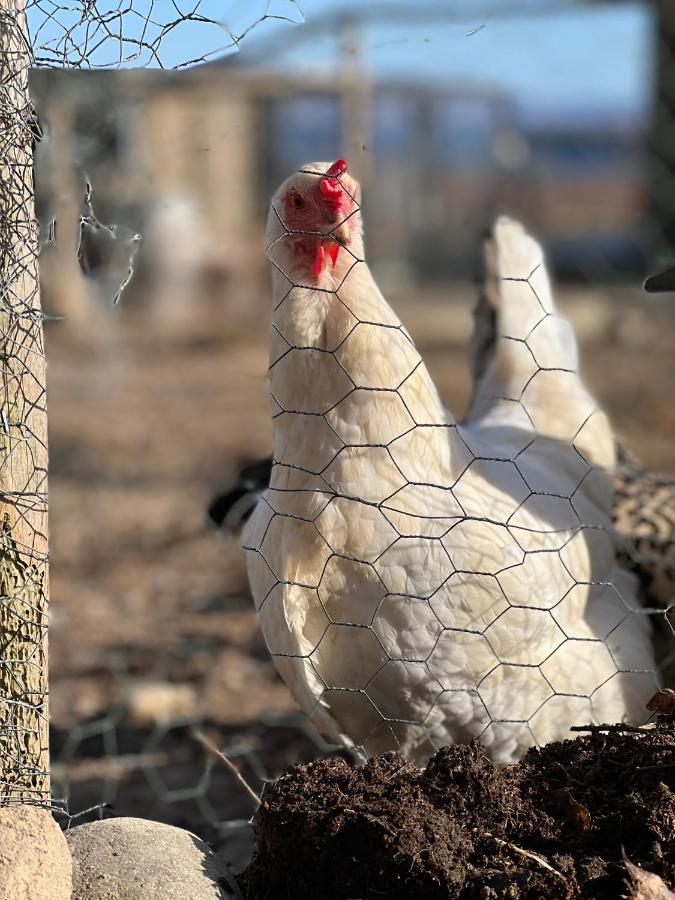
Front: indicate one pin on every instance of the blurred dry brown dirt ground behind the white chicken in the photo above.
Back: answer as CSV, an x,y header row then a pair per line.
x,y
152,630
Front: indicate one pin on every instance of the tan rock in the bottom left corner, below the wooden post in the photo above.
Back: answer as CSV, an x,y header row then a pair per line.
x,y
34,859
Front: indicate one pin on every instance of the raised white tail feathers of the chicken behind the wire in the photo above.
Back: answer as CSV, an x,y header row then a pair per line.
x,y
525,352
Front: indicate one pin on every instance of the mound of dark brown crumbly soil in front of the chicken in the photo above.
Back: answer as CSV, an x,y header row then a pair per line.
x,y
592,817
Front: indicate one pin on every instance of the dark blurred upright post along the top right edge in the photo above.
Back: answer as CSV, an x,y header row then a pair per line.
x,y
661,144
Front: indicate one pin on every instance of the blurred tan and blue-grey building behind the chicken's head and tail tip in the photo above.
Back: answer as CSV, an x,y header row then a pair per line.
x,y
189,160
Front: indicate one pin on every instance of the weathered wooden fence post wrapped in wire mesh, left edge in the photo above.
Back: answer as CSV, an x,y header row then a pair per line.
x,y
24,762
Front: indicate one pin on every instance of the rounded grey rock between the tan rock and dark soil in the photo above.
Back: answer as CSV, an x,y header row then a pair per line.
x,y
135,859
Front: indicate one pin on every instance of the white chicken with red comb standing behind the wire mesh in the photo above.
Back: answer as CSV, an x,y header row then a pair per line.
x,y
420,582
